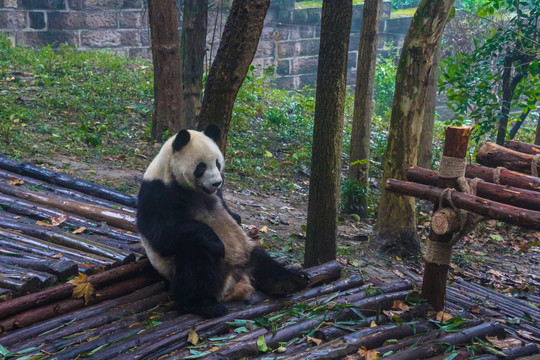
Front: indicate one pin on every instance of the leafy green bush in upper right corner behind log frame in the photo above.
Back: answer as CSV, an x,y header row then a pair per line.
x,y
474,82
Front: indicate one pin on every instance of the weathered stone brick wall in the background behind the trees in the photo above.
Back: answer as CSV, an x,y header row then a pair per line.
x,y
289,42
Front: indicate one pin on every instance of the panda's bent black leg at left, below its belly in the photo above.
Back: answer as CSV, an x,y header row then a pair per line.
x,y
197,283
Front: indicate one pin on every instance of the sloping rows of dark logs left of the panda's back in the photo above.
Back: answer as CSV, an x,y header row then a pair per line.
x,y
95,228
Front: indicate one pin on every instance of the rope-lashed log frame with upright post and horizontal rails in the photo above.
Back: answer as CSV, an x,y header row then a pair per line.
x,y
503,193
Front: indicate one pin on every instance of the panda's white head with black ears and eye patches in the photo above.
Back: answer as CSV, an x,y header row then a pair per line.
x,y
196,161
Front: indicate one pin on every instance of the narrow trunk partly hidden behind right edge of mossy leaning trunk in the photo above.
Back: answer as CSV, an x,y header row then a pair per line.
x,y
425,148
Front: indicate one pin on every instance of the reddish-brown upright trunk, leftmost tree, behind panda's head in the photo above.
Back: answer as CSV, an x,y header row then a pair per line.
x,y
167,69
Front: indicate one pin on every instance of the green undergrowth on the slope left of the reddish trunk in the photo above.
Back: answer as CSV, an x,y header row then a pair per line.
x,y
70,102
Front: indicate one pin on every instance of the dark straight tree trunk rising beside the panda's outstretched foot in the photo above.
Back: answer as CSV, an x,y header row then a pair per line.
x,y
327,133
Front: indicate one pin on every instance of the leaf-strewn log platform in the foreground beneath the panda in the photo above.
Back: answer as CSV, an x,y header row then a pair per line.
x,y
329,321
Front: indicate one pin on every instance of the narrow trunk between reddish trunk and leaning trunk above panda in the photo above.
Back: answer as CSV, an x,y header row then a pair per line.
x,y
195,21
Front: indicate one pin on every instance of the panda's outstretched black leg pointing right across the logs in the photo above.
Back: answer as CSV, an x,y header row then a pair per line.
x,y
272,277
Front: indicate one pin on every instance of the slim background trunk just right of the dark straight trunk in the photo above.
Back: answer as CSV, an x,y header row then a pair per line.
x,y
363,106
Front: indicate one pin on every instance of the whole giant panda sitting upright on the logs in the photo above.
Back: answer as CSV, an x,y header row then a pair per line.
x,y
193,239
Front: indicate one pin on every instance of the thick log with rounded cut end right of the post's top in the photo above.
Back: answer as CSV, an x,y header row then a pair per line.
x,y
493,155
